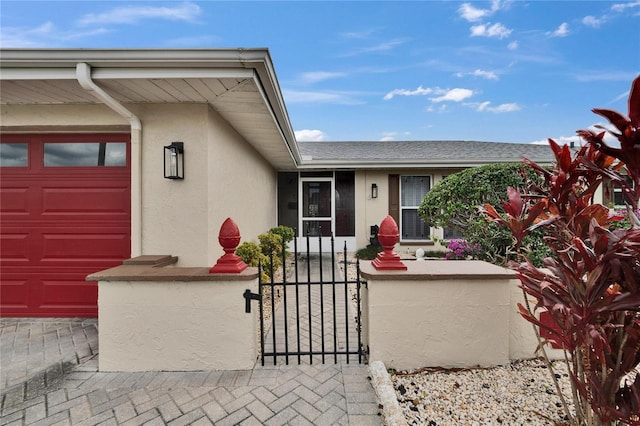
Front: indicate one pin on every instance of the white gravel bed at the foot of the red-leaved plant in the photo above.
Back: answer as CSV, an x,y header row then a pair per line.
x,y
521,393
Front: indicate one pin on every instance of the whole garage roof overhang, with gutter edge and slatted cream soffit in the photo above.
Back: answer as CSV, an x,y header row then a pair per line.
x,y
239,85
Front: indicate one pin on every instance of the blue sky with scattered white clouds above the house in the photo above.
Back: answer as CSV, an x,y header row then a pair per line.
x,y
502,71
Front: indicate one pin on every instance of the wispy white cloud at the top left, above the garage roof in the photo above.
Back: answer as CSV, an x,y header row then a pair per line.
x,y
132,14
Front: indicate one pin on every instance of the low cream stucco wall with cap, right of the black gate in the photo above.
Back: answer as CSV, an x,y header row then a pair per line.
x,y
446,314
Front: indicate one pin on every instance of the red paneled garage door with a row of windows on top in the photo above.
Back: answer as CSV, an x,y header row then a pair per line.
x,y
65,212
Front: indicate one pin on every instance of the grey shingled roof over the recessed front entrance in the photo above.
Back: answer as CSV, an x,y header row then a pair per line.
x,y
418,153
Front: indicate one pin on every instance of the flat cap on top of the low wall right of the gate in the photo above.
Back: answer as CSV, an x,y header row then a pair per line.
x,y
431,270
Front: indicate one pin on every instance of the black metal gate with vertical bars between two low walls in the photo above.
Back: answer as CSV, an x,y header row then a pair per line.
x,y
312,313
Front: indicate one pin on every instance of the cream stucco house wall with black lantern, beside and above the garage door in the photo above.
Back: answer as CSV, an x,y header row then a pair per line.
x,y
224,175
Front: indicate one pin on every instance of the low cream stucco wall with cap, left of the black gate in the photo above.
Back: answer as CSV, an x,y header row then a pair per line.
x,y
155,317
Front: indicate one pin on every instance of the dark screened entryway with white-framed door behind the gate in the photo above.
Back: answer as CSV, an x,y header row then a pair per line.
x,y
318,204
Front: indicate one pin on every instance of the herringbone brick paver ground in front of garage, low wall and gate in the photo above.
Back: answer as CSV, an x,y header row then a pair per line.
x,y
49,375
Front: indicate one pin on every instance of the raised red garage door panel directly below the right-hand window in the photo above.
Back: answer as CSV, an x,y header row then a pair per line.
x,y
86,202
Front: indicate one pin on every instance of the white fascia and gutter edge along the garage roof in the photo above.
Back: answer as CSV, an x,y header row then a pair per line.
x,y
59,64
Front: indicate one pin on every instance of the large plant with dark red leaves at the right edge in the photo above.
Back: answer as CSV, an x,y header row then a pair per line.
x,y
590,287
